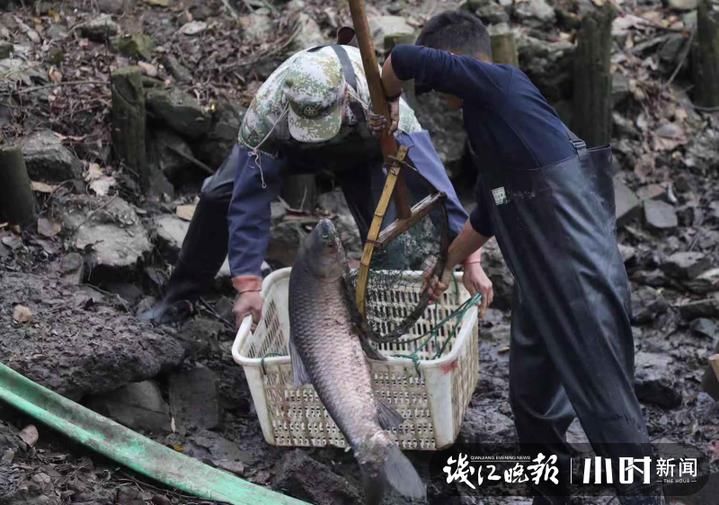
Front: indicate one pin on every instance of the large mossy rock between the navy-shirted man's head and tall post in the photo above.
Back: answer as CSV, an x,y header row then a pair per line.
x,y
548,65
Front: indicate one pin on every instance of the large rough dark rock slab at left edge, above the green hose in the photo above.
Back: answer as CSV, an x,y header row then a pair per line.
x,y
88,346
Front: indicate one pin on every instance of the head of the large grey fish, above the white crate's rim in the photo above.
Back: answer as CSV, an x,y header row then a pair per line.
x,y
324,251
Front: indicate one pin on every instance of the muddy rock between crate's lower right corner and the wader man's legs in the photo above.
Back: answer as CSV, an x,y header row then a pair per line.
x,y
484,424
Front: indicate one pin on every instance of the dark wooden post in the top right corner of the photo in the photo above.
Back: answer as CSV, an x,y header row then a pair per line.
x,y
705,58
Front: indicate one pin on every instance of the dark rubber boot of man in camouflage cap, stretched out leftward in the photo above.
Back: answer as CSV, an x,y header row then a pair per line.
x,y
203,252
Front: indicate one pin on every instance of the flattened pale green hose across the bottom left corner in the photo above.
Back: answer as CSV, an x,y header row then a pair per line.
x,y
131,449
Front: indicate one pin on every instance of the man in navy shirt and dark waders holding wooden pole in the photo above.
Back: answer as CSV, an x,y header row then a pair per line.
x,y
549,202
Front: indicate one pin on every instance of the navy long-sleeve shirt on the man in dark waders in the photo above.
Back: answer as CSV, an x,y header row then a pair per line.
x,y
510,125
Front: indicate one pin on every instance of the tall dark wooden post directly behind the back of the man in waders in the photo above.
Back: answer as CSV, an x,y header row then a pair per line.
x,y
593,78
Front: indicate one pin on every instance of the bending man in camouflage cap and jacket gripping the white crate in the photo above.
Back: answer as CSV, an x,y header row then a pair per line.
x,y
311,114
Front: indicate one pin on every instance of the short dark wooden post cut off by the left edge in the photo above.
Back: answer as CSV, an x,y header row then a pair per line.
x,y
17,202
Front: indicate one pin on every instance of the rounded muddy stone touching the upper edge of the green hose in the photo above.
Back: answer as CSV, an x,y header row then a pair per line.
x,y
138,405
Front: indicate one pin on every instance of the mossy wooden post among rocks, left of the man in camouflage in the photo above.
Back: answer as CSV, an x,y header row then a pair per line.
x,y
128,121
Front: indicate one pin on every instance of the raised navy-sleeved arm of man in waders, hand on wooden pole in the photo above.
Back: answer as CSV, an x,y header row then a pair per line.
x,y
462,76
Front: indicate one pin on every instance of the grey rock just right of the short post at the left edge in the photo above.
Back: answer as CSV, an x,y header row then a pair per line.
x,y
48,160
